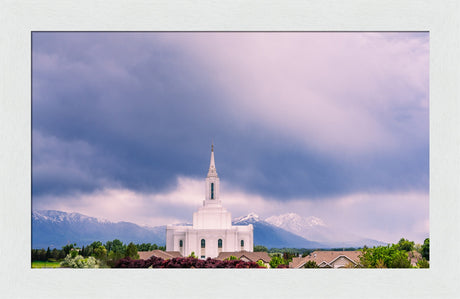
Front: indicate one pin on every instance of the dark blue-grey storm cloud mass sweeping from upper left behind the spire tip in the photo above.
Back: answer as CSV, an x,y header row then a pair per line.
x,y
130,110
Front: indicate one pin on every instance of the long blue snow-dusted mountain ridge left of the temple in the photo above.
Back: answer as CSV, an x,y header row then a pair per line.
x,y
55,229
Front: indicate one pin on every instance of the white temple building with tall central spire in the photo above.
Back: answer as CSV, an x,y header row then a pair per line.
x,y
212,231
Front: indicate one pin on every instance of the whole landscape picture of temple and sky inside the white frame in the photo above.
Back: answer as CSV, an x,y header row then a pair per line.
x,y
261,150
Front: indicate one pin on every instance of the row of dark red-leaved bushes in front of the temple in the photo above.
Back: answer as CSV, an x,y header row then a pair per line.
x,y
183,262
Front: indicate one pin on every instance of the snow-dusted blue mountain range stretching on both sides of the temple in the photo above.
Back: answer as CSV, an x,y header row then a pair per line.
x,y
55,229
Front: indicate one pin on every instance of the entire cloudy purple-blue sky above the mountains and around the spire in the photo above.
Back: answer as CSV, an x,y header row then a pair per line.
x,y
326,124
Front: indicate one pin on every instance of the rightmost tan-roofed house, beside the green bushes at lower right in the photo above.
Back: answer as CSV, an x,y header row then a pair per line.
x,y
328,259
